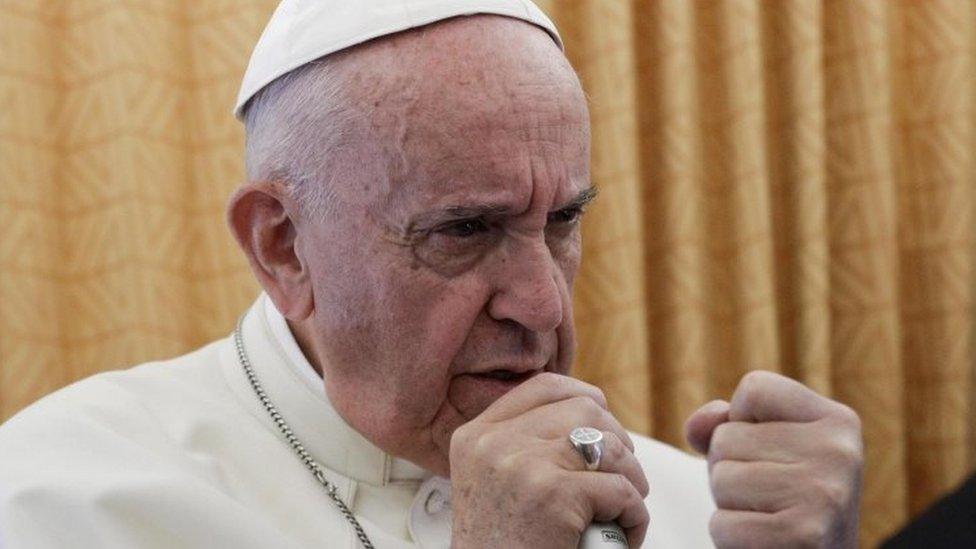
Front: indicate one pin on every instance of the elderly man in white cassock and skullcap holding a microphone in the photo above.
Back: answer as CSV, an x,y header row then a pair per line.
x,y
412,213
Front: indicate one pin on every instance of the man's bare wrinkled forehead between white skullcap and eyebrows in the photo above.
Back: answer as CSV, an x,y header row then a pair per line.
x,y
473,130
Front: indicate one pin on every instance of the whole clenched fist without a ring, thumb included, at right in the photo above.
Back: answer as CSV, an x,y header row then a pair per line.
x,y
784,465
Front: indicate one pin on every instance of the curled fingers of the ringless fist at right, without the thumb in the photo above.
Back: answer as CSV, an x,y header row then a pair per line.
x,y
808,472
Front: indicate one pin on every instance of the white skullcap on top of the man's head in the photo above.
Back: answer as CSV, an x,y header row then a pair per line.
x,y
301,31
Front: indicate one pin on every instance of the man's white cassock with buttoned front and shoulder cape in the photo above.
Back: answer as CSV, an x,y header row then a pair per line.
x,y
181,453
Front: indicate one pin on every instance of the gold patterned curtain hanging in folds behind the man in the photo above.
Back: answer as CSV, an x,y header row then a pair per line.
x,y
786,185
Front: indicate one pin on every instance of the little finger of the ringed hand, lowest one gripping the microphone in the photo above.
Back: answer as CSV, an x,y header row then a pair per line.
x,y
612,497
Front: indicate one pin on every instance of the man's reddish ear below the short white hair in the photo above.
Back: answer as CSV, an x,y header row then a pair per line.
x,y
258,216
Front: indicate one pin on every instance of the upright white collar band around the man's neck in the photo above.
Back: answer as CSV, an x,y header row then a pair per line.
x,y
299,394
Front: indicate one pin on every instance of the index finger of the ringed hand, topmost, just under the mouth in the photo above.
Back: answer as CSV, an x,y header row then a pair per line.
x,y
541,389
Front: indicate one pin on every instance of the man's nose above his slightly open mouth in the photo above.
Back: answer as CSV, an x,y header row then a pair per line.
x,y
528,289
